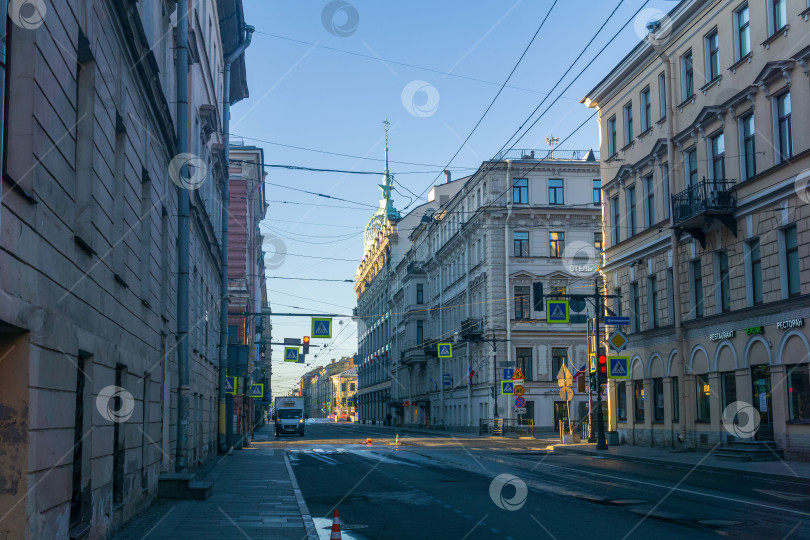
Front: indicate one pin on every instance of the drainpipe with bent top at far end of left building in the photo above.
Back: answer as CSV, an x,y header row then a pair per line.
x,y
226,195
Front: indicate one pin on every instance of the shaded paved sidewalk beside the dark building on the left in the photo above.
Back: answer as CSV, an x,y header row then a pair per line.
x,y
255,495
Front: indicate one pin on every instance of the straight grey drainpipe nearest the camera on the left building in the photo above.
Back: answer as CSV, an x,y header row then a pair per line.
x,y
181,460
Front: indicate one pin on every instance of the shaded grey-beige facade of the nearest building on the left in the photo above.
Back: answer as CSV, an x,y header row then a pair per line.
x,y
88,263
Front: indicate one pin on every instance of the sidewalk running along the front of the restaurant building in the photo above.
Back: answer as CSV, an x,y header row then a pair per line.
x,y
699,460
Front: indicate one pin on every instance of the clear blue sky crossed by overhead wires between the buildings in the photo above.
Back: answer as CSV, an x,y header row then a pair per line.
x,y
309,95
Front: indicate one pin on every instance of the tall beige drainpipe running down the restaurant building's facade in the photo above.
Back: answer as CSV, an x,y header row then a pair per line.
x,y
676,286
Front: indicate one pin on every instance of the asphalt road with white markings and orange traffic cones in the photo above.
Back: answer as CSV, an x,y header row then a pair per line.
x,y
440,486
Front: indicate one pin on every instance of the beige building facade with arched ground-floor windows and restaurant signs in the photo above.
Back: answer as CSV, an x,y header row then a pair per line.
x,y
704,175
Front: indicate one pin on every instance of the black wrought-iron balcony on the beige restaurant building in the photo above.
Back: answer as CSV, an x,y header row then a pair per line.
x,y
695,209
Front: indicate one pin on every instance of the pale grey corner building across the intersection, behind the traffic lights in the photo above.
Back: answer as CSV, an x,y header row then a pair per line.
x,y
524,218
